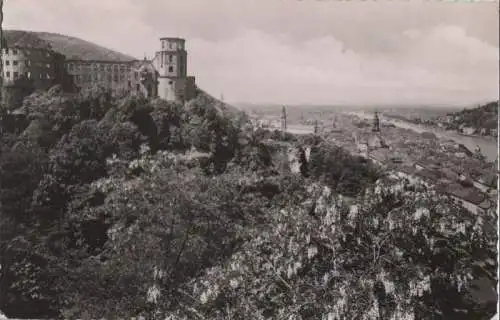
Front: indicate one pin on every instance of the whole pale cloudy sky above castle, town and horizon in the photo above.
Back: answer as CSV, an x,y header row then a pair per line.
x,y
327,52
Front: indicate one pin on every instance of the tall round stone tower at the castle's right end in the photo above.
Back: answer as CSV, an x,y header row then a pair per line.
x,y
171,64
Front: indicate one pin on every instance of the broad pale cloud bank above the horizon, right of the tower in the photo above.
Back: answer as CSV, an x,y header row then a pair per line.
x,y
439,67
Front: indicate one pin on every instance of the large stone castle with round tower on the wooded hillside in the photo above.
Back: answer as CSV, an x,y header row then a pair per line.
x,y
31,64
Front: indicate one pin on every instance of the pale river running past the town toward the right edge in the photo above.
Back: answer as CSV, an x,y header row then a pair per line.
x,y
489,148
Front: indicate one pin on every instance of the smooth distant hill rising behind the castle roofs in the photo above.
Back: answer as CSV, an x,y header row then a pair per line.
x,y
71,47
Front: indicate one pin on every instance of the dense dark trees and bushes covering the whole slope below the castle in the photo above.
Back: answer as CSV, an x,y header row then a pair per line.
x,y
123,207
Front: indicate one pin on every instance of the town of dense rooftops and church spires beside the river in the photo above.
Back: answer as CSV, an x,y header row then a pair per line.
x,y
451,167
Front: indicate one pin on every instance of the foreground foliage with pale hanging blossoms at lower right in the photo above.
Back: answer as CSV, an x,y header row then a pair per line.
x,y
363,261
